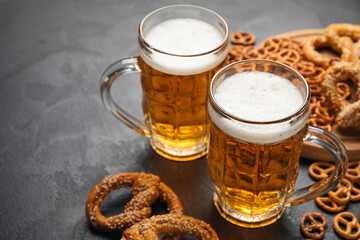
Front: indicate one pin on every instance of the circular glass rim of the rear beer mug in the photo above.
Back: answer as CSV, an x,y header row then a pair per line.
x,y
148,46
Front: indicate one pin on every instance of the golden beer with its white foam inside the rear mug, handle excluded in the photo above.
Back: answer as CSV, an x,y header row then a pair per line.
x,y
175,82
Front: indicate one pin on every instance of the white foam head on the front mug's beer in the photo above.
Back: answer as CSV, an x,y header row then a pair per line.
x,y
258,97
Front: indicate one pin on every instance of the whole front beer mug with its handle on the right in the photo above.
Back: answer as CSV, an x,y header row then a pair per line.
x,y
258,122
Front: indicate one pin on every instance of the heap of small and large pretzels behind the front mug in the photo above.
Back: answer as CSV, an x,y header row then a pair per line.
x,y
326,76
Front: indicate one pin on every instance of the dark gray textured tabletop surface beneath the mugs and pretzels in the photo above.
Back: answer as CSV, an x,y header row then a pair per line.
x,y
56,138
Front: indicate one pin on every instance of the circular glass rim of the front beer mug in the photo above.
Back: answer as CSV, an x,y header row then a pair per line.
x,y
299,112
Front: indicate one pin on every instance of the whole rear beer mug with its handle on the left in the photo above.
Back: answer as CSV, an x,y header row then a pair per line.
x,y
180,49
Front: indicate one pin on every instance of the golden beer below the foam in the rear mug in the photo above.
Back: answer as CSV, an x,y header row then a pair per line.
x,y
175,109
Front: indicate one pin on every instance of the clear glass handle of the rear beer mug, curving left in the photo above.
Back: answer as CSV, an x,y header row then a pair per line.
x,y
112,73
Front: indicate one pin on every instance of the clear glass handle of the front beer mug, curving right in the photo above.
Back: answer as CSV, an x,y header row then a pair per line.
x,y
334,146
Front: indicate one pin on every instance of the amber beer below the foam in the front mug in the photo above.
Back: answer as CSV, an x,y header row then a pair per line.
x,y
254,179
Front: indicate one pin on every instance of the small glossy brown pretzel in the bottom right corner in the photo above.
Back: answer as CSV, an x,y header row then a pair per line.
x,y
351,224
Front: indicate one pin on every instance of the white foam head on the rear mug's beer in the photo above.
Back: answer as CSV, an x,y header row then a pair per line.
x,y
184,37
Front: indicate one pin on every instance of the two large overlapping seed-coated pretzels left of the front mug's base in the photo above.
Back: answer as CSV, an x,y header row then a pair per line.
x,y
146,189
